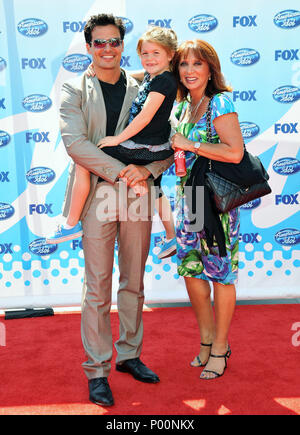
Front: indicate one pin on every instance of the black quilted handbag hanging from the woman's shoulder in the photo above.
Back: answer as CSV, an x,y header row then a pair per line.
x,y
234,184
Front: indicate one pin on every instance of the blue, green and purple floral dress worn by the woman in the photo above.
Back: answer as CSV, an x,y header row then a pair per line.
x,y
194,258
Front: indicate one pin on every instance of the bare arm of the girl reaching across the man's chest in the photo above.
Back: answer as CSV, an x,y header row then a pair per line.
x,y
151,106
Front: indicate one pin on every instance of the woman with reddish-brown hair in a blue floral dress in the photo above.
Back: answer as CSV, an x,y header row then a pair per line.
x,y
200,80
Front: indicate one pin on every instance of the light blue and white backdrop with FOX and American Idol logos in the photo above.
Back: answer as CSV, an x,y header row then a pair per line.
x,y
42,45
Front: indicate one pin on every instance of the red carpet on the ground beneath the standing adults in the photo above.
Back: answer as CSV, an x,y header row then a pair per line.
x,y
40,366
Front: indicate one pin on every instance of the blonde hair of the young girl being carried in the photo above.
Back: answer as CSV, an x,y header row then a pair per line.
x,y
167,38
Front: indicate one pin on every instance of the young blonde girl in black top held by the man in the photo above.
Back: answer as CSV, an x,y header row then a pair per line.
x,y
148,131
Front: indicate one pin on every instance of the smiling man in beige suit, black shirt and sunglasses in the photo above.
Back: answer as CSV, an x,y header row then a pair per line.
x,y
92,108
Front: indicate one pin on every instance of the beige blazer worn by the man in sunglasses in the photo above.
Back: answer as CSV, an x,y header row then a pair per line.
x,y
83,124
